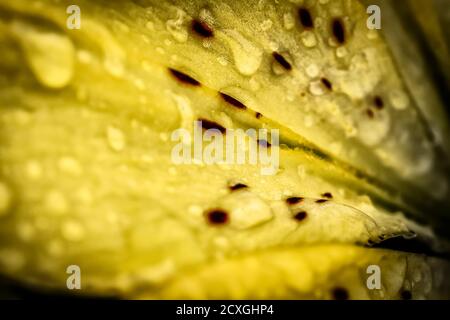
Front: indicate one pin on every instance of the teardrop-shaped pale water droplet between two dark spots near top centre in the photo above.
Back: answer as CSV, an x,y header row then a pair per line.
x,y
247,56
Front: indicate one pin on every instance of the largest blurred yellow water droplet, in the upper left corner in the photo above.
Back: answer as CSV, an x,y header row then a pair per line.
x,y
50,55
